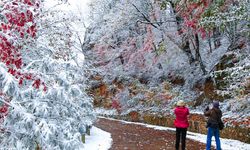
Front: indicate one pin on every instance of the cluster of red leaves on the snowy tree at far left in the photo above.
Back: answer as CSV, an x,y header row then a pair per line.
x,y
19,17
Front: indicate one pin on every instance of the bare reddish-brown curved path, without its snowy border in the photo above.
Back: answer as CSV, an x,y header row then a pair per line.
x,y
137,137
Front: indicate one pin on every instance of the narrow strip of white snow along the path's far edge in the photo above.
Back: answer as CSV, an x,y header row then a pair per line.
x,y
226,144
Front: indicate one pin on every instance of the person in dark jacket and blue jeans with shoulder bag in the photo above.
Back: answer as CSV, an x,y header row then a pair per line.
x,y
214,116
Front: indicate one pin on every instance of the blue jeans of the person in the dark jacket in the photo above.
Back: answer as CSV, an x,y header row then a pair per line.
x,y
210,133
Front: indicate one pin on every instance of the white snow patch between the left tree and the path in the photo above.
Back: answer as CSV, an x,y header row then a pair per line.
x,y
98,140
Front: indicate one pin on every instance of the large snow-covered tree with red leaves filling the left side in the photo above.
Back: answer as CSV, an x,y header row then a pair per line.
x,y
47,106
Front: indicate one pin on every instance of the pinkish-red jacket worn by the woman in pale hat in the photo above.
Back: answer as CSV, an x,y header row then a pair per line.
x,y
181,114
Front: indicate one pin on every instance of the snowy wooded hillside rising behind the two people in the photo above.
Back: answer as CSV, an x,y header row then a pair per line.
x,y
147,58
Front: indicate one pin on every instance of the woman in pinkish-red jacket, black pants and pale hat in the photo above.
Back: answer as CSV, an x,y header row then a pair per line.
x,y
181,123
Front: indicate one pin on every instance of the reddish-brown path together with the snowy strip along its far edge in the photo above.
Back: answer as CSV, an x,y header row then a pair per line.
x,y
130,135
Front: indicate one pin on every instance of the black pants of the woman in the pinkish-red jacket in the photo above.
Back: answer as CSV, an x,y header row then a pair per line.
x,y
181,135
